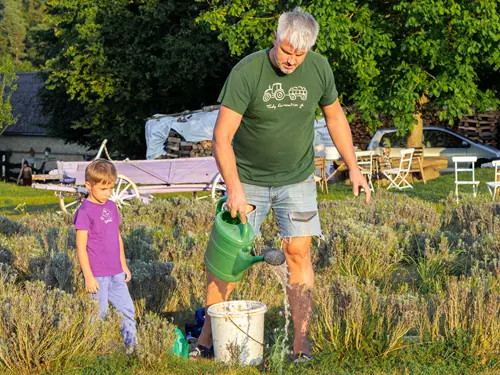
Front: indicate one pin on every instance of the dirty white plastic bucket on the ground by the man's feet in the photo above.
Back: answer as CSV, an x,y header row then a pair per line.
x,y
238,331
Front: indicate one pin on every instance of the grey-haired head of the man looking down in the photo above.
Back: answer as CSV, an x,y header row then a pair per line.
x,y
297,32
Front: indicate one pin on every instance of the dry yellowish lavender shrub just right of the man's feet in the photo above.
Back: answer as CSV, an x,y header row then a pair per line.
x,y
350,317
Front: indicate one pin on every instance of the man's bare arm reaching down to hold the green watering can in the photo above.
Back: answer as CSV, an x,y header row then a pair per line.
x,y
226,125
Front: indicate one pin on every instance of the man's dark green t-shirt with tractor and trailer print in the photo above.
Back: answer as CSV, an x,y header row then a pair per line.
x,y
274,142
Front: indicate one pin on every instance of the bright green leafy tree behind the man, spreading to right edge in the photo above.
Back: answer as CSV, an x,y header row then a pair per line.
x,y
396,58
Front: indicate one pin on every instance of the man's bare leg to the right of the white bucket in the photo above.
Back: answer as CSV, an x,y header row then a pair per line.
x,y
300,290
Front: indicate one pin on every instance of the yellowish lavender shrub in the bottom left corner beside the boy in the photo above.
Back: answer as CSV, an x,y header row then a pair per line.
x,y
41,328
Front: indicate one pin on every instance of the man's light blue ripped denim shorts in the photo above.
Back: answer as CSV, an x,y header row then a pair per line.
x,y
294,206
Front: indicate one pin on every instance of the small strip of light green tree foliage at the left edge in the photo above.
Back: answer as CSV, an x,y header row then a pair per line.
x,y
7,88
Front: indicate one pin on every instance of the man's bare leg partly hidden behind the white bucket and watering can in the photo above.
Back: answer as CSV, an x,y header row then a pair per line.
x,y
217,291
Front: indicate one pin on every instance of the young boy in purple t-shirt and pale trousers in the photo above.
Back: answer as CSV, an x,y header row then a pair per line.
x,y
100,248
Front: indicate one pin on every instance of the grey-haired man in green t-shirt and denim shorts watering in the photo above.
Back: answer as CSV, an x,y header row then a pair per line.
x,y
263,144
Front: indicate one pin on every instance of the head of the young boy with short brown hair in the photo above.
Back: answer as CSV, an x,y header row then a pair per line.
x,y
100,178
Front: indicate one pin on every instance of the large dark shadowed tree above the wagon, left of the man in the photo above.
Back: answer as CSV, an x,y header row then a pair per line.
x,y
114,63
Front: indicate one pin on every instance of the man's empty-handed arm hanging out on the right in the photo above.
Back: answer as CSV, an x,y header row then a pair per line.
x,y
340,132
